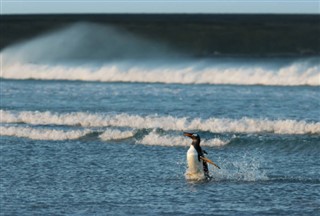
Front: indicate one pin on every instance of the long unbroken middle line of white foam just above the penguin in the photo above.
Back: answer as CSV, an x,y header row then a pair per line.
x,y
215,125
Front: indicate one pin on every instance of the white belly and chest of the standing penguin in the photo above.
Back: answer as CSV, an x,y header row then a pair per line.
x,y
195,167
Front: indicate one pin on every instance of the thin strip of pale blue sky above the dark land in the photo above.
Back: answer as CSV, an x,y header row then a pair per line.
x,y
160,6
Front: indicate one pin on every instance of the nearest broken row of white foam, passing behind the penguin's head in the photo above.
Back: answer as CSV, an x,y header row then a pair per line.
x,y
153,138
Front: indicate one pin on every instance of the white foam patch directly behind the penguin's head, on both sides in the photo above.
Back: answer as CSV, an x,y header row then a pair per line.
x,y
153,138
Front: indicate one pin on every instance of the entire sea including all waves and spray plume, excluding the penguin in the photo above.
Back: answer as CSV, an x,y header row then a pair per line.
x,y
98,130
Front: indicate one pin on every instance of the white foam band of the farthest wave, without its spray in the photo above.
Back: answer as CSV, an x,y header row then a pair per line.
x,y
294,74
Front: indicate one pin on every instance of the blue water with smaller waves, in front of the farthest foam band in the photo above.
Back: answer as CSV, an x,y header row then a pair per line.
x,y
83,148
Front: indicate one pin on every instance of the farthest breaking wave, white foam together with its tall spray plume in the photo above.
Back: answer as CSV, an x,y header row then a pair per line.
x,y
93,52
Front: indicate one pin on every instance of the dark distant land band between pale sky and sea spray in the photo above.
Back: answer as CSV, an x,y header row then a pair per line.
x,y
197,35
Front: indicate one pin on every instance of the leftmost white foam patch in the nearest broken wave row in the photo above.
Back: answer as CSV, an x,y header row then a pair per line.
x,y
42,134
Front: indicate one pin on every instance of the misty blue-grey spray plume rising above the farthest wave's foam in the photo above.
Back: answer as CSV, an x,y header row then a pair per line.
x,y
84,42
